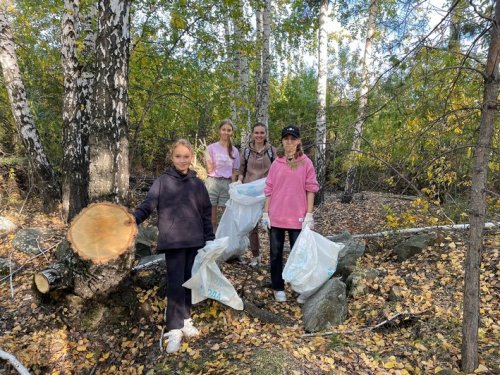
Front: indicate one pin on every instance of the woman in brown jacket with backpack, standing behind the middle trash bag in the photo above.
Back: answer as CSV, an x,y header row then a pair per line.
x,y
256,160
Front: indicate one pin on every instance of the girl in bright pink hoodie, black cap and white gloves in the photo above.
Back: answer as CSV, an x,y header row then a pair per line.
x,y
290,188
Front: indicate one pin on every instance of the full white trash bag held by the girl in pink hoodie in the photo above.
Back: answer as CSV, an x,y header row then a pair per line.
x,y
312,261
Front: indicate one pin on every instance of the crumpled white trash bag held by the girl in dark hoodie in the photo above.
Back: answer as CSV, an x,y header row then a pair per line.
x,y
207,280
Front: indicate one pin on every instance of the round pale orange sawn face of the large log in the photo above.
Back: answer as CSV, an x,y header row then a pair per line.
x,y
102,232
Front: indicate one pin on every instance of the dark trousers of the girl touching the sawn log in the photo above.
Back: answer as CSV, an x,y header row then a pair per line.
x,y
179,265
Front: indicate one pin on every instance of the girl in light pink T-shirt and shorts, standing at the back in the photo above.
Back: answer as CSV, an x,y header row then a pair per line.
x,y
222,161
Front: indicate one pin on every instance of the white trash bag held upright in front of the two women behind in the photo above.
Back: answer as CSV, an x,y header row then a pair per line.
x,y
242,213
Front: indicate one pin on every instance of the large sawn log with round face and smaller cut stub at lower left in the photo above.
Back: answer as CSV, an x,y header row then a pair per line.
x,y
98,253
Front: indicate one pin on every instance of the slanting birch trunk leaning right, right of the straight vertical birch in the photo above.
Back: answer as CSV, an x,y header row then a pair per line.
x,y
352,162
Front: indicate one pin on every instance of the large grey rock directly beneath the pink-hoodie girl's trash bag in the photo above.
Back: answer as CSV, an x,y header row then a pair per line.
x,y
325,308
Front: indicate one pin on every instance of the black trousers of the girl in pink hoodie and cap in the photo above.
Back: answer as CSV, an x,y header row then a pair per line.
x,y
277,239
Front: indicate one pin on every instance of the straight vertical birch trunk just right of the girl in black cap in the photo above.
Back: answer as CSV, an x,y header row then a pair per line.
x,y
320,156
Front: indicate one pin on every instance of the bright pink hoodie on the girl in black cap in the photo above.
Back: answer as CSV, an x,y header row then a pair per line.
x,y
287,188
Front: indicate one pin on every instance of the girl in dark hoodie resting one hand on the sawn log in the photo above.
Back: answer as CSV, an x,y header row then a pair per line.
x,y
184,227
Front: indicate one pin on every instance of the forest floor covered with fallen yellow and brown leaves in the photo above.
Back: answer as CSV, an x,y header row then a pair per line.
x,y
48,337
